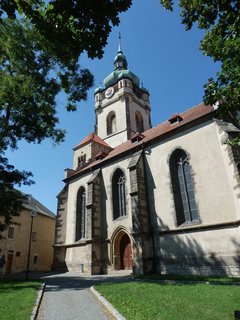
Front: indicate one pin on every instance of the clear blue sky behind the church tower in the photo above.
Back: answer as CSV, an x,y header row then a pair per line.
x,y
160,52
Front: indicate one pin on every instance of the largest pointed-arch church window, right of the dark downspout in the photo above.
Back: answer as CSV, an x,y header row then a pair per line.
x,y
183,188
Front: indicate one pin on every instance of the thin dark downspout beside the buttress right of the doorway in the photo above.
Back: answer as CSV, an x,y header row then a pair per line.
x,y
151,229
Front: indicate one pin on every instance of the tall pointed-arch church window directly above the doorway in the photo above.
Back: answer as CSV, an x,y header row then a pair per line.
x,y
118,194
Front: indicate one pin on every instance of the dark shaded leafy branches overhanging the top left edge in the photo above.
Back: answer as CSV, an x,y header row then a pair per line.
x,y
70,27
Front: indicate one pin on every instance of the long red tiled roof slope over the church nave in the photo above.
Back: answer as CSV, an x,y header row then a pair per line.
x,y
188,116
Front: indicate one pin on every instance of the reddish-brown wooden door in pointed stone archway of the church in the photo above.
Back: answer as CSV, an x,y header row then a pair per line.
x,y
122,251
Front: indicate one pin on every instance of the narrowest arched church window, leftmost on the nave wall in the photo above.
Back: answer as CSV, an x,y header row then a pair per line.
x,y
81,215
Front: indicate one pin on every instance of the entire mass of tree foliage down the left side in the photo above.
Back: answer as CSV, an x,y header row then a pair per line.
x,y
39,57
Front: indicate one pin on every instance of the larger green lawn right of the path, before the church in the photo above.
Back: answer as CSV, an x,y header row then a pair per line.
x,y
139,300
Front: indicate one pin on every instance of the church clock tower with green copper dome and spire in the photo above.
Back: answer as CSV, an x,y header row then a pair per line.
x,y
122,107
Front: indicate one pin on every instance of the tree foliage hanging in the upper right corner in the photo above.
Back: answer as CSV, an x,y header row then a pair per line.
x,y
221,42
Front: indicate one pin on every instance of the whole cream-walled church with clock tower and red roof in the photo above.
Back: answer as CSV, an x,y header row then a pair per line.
x,y
162,199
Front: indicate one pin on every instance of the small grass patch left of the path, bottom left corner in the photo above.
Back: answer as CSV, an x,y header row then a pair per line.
x,y
17,299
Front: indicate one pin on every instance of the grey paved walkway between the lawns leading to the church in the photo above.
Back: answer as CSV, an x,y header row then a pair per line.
x,y
67,297
